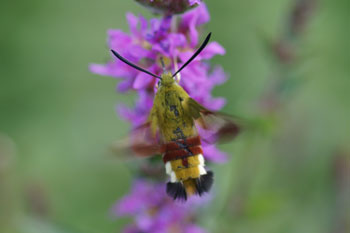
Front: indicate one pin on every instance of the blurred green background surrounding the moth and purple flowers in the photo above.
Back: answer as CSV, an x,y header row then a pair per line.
x,y
57,120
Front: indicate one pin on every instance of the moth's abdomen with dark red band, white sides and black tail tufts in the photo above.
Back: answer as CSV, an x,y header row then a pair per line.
x,y
185,165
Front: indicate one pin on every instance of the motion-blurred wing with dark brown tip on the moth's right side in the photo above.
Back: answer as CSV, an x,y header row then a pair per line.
x,y
213,126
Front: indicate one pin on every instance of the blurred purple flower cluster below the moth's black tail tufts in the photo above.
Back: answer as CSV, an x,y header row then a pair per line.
x,y
155,212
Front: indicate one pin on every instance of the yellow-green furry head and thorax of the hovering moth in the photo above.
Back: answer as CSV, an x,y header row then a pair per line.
x,y
170,110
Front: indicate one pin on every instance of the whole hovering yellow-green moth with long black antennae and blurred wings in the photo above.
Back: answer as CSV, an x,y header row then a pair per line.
x,y
171,130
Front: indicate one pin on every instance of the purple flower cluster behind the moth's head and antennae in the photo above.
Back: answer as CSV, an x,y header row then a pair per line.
x,y
155,38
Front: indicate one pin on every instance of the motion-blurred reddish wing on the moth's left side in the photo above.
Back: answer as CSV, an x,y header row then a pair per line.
x,y
142,142
